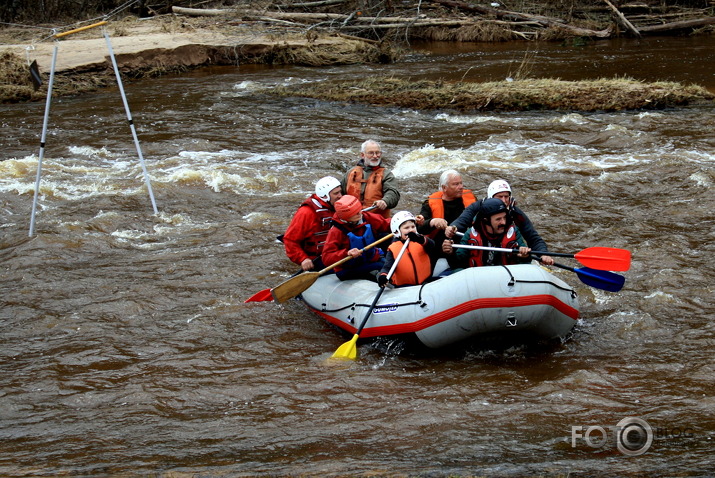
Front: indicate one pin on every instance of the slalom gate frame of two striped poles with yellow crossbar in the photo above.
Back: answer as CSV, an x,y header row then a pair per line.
x,y
47,115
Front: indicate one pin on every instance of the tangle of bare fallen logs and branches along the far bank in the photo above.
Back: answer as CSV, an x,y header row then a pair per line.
x,y
638,20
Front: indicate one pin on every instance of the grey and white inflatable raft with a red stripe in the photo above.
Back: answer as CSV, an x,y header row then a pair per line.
x,y
506,302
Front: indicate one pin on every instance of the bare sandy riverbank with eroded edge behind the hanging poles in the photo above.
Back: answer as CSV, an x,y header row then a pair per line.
x,y
166,45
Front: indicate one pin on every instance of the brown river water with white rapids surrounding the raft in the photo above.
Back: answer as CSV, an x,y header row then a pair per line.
x,y
126,348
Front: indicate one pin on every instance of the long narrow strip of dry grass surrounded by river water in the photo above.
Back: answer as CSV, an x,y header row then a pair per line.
x,y
518,95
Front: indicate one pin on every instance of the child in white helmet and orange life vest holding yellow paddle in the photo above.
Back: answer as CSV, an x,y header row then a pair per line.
x,y
415,266
